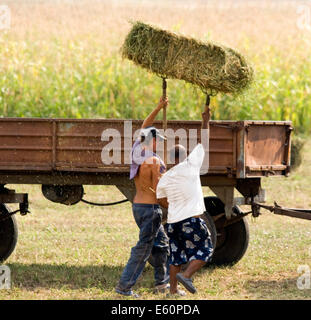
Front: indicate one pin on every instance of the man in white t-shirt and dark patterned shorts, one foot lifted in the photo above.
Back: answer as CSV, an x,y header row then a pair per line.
x,y
189,238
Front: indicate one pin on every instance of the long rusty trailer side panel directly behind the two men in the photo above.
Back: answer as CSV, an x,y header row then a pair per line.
x,y
79,145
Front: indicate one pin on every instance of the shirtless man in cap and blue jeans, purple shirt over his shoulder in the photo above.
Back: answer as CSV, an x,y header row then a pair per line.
x,y
146,170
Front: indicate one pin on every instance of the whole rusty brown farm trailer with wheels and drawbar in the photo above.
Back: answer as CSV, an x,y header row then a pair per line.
x,y
62,155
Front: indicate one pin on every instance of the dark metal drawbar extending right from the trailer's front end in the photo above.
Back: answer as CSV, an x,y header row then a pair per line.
x,y
276,209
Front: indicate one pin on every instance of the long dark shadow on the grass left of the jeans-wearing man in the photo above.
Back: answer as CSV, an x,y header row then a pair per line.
x,y
64,276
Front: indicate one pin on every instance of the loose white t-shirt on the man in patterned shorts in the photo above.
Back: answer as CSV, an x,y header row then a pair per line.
x,y
181,185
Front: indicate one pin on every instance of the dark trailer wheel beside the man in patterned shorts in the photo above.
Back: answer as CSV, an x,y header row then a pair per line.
x,y
232,240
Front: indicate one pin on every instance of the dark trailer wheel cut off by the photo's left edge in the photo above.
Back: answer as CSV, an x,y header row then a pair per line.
x,y
8,234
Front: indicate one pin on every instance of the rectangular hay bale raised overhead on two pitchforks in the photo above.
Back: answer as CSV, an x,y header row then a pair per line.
x,y
212,67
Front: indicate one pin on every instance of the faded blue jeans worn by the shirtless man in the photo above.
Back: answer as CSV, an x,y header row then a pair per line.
x,y
152,240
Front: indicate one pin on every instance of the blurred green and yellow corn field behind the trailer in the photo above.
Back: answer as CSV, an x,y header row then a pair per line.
x,y
62,59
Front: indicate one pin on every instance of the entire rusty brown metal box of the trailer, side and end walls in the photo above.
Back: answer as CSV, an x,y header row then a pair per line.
x,y
236,148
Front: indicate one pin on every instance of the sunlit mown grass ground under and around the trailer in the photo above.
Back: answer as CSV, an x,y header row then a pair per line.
x,y
79,252
